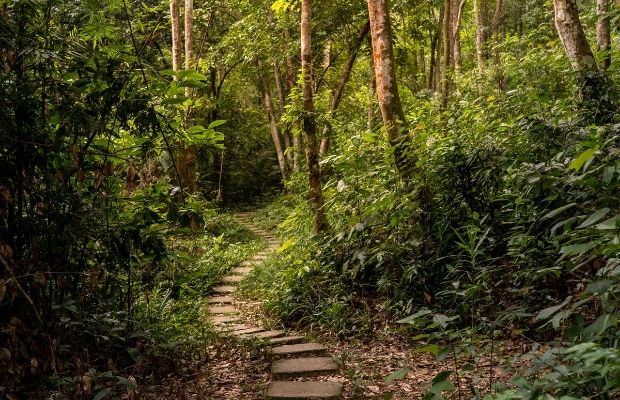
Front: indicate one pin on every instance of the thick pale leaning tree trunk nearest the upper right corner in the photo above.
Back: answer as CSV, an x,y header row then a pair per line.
x,y
572,35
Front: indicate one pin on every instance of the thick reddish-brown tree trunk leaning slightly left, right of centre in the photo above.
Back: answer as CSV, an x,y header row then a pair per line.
x,y
387,89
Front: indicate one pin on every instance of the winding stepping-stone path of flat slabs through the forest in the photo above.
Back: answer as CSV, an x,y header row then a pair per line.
x,y
292,358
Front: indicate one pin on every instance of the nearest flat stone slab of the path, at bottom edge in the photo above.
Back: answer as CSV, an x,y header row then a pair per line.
x,y
304,390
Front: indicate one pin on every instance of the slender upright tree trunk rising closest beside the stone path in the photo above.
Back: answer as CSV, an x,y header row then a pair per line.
x,y
309,123
